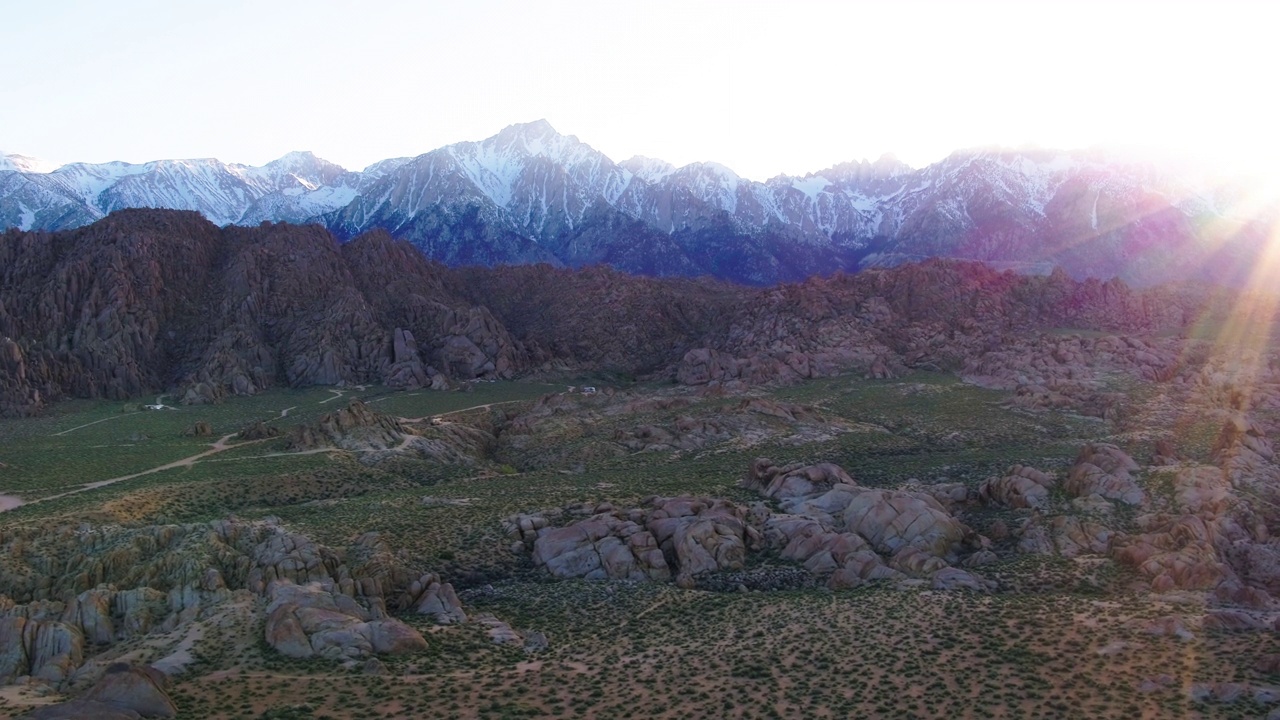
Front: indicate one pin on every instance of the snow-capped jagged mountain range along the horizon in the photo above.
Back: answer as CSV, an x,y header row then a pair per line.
x,y
531,194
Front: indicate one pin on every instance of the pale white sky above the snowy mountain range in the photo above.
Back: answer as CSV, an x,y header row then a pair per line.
x,y
762,88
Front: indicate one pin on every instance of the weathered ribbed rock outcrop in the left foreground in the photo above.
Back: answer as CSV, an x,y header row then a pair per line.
x,y
121,584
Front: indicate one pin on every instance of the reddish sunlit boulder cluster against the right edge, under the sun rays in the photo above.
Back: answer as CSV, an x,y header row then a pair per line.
x,y
1209,534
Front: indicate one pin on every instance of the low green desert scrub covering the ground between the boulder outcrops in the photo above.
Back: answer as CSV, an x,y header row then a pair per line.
x,y
1058,639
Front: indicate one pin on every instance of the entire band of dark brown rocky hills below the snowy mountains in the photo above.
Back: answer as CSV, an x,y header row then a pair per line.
x,y
149,302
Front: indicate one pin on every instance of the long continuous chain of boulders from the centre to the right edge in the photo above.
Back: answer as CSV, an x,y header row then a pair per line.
x,y
1206,537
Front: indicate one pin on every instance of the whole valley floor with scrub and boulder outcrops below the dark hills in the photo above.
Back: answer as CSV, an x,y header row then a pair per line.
x,y
1058,573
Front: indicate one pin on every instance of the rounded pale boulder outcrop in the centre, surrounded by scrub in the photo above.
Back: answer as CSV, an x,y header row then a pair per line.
x,y
829,525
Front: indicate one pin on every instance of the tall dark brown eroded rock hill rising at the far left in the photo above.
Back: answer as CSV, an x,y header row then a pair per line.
x,y
145,297
